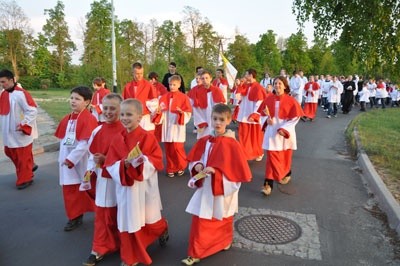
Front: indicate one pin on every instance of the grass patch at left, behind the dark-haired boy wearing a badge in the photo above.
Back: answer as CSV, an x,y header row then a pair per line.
x,y
53,101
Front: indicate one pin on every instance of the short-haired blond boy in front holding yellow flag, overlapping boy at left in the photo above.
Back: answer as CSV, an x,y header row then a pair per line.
x,y
133,161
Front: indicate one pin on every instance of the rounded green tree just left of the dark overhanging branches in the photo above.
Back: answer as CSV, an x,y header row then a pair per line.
x,y
295,57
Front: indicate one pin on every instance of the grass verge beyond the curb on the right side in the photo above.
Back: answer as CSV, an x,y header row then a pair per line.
x,y
379,133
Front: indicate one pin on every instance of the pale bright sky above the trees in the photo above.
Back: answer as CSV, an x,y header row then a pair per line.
x,y
250,19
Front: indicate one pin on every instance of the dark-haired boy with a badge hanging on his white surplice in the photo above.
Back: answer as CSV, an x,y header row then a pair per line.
x,y
74,132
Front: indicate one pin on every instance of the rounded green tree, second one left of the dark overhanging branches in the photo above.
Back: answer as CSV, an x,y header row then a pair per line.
x,y
267,53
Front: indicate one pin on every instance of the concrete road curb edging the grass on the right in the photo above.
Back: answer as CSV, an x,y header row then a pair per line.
x,y
385,199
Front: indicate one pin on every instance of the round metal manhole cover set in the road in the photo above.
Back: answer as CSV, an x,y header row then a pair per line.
x,y
268,229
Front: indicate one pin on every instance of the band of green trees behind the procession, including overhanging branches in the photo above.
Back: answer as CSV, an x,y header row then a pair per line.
x,y
350,37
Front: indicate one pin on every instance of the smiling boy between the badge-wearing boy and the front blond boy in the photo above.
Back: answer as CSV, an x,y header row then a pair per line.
x,y
106,236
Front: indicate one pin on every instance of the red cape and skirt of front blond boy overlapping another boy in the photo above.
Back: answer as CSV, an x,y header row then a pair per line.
x,y
133,245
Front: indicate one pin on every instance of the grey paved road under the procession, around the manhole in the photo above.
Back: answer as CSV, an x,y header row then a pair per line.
x,y
330,205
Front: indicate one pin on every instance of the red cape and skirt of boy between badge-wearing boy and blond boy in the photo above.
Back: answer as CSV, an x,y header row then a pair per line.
x,y
105,236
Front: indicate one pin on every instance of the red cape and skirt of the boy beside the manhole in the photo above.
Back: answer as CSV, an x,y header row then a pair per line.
x,y
209,236
